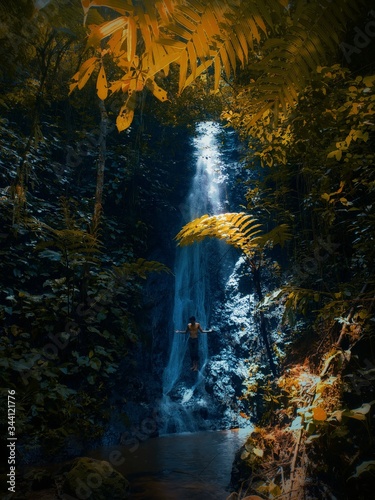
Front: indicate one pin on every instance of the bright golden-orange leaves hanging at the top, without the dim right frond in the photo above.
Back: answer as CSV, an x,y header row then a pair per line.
x,y
146,37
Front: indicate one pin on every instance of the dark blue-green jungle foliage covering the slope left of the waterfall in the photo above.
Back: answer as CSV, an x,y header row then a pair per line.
x,y
71,286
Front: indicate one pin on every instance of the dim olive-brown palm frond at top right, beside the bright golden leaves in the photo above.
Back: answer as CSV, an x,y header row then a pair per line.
x,y
290,60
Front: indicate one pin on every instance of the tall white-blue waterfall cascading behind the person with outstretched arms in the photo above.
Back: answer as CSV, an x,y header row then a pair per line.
x,y
191,280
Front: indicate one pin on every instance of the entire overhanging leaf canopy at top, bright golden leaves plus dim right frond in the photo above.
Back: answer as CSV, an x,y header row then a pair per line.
x,y
145,38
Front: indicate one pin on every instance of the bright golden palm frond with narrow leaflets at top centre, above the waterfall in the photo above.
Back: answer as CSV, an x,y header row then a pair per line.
x,y
219,34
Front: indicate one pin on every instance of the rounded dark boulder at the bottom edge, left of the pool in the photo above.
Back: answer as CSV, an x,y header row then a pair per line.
x,y
94,479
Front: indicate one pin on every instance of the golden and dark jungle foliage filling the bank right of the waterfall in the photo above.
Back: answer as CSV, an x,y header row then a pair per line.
x,y
318,162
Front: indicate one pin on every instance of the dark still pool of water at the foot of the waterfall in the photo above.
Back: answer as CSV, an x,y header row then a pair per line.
x,y
180,467
